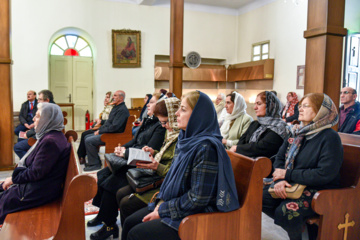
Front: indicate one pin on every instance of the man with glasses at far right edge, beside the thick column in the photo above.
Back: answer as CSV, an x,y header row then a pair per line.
x,y
349,117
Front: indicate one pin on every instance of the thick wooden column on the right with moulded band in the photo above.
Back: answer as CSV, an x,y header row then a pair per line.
x,y
324,45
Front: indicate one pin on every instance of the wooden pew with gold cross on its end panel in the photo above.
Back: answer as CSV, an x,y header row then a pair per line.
x,y
334,205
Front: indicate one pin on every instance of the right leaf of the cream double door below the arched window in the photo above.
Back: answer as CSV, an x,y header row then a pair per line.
x,y
82,89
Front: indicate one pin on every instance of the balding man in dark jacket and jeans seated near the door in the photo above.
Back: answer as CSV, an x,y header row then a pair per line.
x,y
116,123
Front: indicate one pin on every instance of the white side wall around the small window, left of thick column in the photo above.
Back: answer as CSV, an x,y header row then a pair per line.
x,y
283,24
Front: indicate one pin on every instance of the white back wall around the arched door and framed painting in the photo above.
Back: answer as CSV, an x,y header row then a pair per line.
x,y
35,23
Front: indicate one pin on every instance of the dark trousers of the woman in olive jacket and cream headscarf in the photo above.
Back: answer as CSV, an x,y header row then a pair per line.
x,y
128,202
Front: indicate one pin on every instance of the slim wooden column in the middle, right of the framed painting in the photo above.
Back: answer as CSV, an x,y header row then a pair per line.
x,y
176,46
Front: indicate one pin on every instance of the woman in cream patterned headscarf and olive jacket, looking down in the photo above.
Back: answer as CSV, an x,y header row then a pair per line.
x,y
165,111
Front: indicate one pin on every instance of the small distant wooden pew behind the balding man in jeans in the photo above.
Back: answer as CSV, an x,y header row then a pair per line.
x,y
112,140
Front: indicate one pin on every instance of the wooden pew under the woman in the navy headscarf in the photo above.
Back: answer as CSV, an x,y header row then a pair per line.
x,y
244,223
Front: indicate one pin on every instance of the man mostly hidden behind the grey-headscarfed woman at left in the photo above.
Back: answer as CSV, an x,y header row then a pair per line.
x,y
22,147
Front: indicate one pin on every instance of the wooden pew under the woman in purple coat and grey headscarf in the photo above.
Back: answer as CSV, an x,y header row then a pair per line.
x,y
58,220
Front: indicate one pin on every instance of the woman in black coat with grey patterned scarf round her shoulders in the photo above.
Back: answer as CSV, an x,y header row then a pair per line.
x,y
264,136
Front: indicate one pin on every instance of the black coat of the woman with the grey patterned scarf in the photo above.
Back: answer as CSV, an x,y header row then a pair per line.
x,y
267,146
